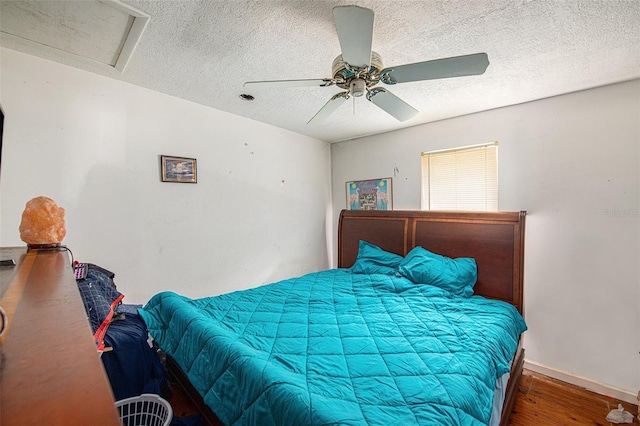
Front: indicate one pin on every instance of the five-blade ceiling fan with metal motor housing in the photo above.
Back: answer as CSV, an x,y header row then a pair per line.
x,y
358,69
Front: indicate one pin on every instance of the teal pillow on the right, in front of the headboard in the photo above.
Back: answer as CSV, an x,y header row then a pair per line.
x,y
457,276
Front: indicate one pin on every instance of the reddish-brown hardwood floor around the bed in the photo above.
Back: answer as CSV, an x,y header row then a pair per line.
x,y
541,401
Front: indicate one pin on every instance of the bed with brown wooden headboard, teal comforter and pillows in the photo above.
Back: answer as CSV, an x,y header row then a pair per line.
x,y
360,344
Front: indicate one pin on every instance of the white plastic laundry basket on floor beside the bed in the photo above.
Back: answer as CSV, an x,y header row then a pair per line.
x,y
144,410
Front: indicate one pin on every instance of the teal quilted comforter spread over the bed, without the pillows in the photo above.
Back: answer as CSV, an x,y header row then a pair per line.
x,y
340,348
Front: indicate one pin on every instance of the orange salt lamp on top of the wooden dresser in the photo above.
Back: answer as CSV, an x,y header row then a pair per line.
x,y
42,222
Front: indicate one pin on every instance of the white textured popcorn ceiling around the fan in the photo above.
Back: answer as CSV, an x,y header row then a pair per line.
x,y
204,51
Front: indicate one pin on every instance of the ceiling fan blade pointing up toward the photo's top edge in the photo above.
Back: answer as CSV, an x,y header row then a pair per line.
x,y
355,32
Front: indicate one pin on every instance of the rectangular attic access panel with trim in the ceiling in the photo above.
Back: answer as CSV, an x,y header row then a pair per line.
x,y
104,31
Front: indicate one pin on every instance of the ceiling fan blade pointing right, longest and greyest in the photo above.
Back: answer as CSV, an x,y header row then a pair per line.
x,y
457,66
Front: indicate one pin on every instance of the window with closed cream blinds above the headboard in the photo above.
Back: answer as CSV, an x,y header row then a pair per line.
x,y
461,178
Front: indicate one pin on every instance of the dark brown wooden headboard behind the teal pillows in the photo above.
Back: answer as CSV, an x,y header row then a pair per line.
x,y
494,240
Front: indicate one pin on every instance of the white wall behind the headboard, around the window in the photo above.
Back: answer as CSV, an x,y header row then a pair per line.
x,y
573,163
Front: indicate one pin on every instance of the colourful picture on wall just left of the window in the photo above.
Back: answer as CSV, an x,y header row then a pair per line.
x,y
375,194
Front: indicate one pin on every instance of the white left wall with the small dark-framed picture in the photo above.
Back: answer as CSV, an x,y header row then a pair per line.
x,y
257,214
